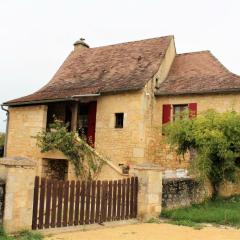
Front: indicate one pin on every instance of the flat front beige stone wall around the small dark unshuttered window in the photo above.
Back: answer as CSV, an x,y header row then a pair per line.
x,y
127,144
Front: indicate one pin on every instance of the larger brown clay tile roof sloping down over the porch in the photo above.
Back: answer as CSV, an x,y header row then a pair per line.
x,y
114,68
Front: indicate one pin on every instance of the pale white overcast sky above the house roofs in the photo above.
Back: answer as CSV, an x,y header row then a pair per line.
x,y
36,36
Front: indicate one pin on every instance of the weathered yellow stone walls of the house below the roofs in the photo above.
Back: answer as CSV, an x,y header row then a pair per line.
x,y
139,141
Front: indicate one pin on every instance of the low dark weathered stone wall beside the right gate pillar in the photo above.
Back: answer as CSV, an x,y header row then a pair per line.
x,y
181,192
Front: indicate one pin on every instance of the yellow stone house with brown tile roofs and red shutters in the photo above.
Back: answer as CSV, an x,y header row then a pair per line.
x,y
119,96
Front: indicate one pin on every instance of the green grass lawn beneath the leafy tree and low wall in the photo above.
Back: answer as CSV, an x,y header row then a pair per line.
x,y
221,211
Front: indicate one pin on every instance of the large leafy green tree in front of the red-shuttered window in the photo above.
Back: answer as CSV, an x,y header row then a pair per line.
x,y
215,137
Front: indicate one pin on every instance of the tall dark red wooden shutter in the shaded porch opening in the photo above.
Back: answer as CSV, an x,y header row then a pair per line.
x,y
92,110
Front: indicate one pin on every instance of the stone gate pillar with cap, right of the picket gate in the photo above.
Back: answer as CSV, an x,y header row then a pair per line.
x,y
149,190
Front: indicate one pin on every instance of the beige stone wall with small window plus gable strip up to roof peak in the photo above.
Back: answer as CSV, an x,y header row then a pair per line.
x,y
130,144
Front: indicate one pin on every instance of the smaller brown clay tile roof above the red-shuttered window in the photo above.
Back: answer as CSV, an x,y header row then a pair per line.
x,y
198,73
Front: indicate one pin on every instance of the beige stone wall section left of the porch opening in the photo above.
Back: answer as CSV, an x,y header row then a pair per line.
x,y
24,124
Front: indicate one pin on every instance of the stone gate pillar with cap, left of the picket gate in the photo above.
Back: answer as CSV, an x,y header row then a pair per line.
x,y
19,174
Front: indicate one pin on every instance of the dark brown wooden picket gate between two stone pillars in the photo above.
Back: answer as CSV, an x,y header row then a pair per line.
x,y
63,203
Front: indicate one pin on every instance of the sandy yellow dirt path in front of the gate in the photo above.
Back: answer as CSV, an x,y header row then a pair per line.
x,y
151,232
